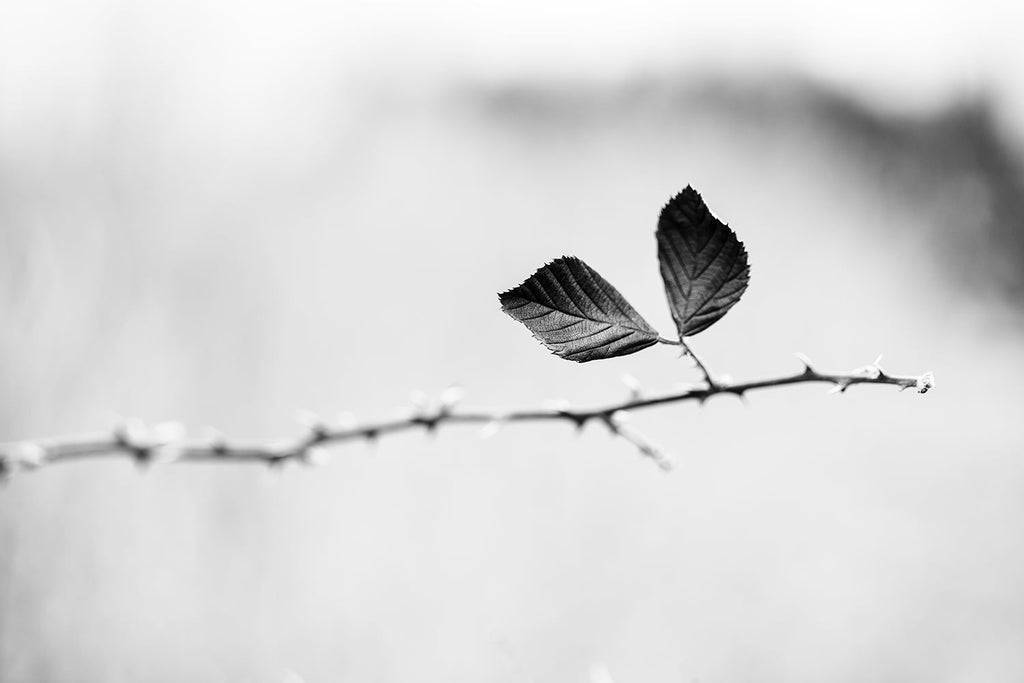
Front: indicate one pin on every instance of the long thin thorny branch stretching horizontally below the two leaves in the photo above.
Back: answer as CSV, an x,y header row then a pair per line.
x,y
165,444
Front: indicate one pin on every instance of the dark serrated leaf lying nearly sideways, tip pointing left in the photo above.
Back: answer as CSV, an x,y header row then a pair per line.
x,y
577,314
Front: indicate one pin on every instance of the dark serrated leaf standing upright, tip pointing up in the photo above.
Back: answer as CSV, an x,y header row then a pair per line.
x,y
704,266
